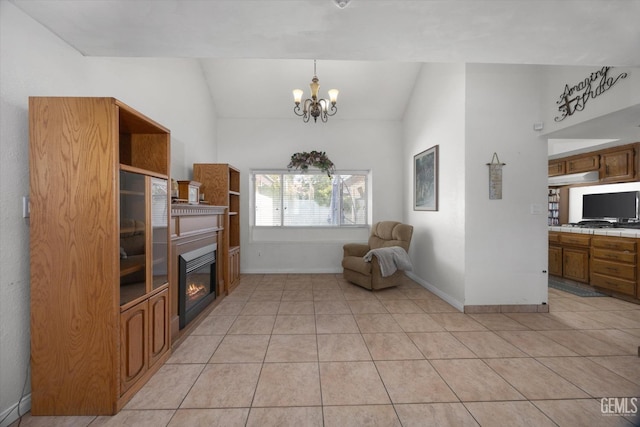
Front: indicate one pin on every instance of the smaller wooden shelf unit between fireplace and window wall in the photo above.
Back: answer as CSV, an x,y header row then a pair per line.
x,y
221,187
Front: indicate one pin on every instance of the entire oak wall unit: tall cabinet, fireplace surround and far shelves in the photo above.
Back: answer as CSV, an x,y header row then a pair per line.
x,y
105,243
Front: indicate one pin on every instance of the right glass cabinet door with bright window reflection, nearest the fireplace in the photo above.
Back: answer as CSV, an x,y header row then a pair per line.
x,y
160,232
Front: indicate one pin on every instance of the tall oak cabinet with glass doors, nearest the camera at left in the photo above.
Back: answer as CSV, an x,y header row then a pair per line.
x,y
90,350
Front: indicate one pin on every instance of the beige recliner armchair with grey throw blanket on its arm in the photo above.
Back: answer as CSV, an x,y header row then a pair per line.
x,y
367,274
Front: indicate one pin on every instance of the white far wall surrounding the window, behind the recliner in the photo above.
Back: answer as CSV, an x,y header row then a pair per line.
x,y
351,145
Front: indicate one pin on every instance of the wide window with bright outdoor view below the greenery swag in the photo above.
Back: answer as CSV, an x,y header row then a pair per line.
x,y
310,199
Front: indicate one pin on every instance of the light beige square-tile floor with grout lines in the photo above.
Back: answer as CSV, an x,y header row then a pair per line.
x,y
314,350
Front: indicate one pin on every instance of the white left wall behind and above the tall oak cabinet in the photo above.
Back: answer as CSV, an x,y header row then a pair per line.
x,y
34,62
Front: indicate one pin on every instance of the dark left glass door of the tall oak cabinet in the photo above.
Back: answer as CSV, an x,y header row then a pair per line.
x,y
133,239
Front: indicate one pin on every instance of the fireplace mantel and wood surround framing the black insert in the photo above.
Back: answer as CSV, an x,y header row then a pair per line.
x,y
192,227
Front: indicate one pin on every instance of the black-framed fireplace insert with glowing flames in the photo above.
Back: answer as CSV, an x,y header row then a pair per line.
x,y
196,282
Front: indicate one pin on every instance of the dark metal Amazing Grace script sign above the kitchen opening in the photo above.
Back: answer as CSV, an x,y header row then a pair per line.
x,y
574,98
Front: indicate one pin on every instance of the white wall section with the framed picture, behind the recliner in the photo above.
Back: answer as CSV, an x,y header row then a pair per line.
x,y
435,116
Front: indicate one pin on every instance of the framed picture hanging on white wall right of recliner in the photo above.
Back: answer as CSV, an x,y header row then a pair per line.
x,y
425,180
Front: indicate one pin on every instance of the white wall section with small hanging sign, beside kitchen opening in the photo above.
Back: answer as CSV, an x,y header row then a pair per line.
x,y
506,240
